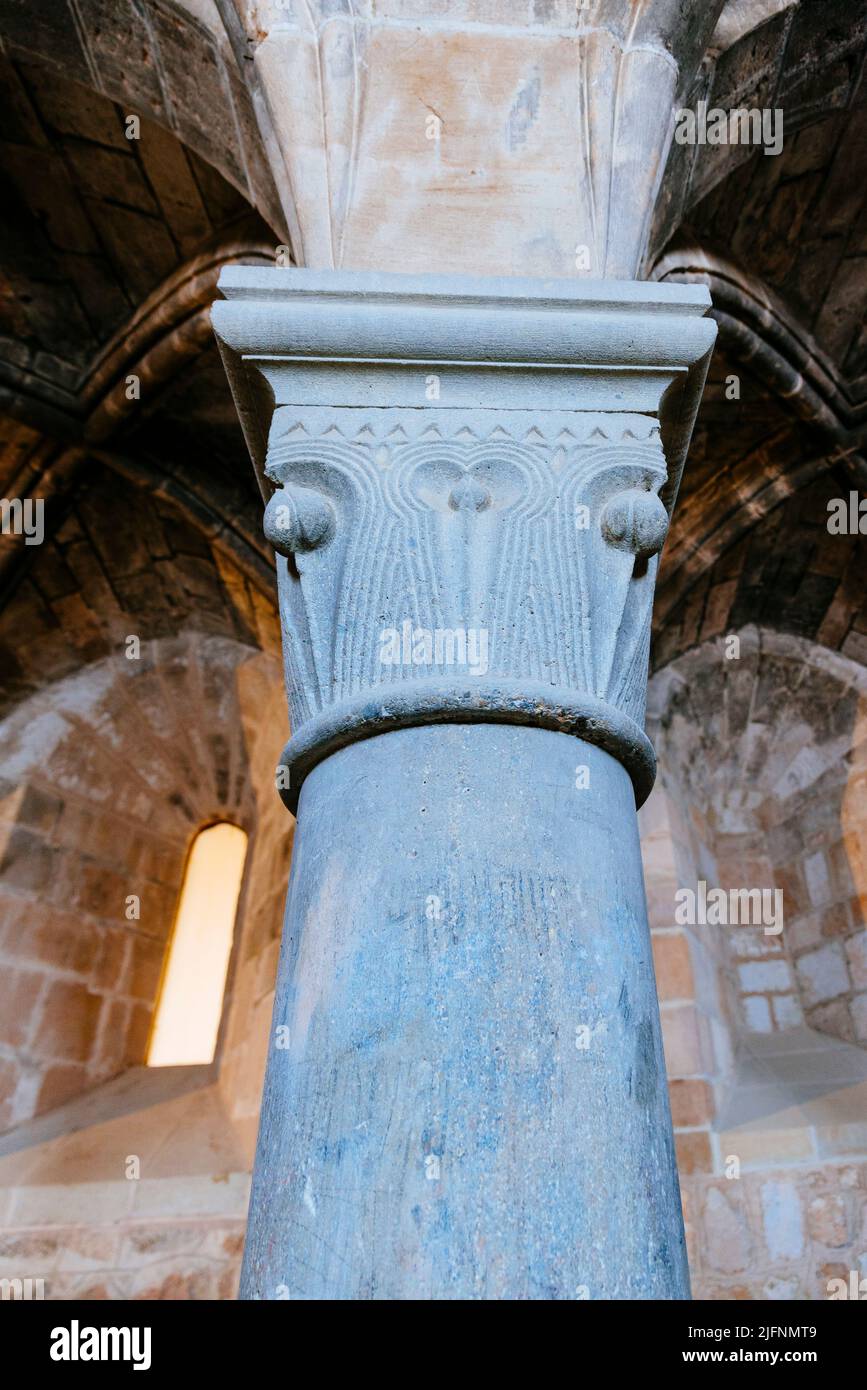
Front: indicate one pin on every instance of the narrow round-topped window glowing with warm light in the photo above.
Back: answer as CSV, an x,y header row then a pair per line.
x,y
187,1020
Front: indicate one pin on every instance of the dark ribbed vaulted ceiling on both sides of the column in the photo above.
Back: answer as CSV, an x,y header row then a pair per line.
x,y
110,251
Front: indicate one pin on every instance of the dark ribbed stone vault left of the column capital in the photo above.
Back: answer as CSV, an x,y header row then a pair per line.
x,y
113,237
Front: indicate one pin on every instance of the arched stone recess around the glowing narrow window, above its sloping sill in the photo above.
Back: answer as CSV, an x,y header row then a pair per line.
x,y
110,774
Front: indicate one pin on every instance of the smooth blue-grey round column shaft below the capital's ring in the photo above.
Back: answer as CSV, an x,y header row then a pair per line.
x,y
469,1096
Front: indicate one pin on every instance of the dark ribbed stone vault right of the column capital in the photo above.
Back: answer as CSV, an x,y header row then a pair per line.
x,y
780,241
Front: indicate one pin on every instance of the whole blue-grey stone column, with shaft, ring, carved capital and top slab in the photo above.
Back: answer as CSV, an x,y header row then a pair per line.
x,y
470,482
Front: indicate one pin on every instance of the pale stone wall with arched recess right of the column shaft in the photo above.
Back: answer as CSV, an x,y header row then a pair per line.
x,y
762,786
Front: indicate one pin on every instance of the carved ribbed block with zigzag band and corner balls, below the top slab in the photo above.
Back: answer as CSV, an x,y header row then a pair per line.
x,y
523,528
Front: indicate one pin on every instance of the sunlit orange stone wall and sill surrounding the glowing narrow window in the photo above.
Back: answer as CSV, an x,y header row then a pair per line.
x,y
126,762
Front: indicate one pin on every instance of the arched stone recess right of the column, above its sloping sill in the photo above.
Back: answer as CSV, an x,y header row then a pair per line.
x,y
765,754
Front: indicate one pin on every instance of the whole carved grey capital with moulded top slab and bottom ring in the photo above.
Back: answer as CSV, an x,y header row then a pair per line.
x,y
469,486
